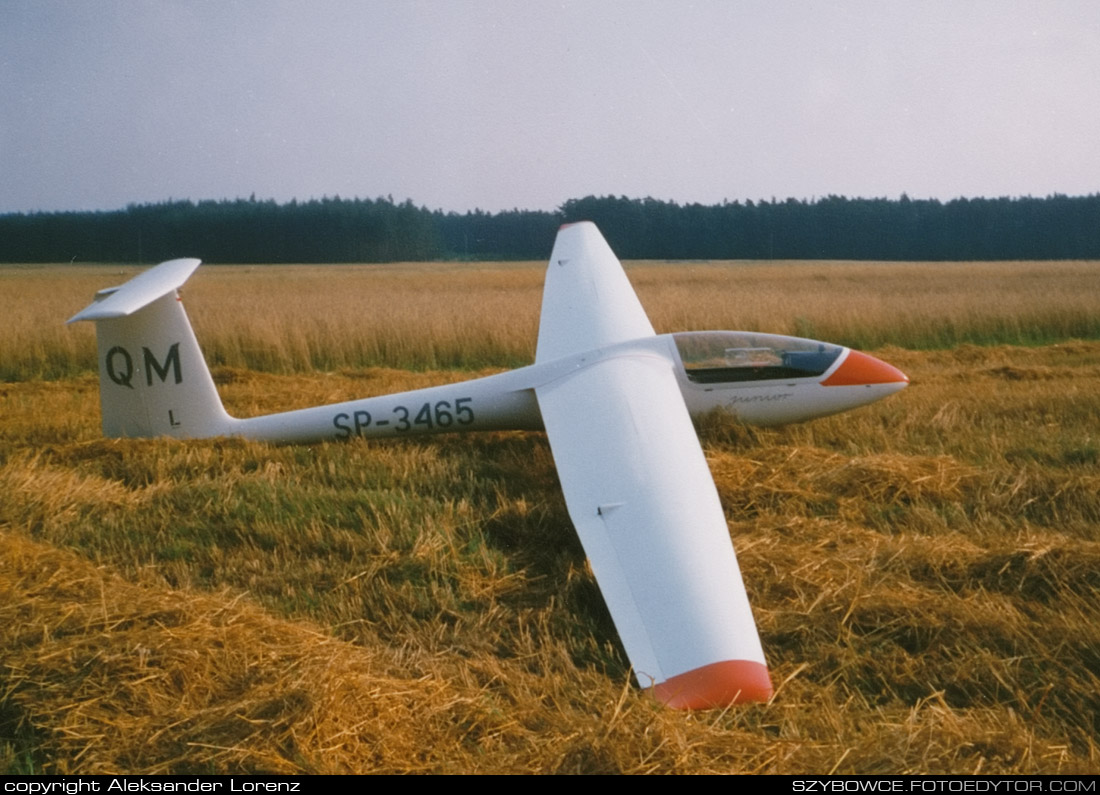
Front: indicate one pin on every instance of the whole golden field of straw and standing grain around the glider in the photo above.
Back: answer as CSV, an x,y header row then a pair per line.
x,y
925,571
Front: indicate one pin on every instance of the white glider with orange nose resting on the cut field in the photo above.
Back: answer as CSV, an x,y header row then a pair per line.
x,y
617,402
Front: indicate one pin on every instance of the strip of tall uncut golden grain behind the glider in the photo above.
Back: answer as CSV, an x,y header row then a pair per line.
x,y
302,319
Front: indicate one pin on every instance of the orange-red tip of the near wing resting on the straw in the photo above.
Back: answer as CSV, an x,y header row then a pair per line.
x,y
717,686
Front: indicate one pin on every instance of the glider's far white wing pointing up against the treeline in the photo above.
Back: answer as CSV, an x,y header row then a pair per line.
x,y
588,302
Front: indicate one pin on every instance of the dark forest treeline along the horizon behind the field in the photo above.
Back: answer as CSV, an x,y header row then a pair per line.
x,y
382,230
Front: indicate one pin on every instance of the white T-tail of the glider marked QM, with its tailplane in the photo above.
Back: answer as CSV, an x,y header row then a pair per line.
x,y
153,381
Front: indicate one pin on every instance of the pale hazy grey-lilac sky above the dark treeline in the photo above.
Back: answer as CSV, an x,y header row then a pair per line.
x,y
501,105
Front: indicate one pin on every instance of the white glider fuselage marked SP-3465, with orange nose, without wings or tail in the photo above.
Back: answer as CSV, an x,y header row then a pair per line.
x,y
761,392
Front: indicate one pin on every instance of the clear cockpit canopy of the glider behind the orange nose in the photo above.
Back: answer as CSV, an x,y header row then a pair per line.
x,y
725,357
